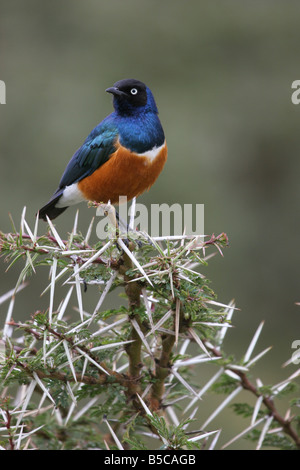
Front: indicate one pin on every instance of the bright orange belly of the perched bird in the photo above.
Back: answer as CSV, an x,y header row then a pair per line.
x,y
124,174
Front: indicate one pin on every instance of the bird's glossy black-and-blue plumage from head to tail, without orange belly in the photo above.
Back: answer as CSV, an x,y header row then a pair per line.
x,y
134,125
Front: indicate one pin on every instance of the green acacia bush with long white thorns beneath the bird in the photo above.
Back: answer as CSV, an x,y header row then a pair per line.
x,y
128,377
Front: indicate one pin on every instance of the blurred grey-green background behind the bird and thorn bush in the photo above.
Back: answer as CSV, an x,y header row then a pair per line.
x,y
221,73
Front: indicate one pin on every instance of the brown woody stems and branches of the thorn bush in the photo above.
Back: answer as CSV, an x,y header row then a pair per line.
x,y
161,359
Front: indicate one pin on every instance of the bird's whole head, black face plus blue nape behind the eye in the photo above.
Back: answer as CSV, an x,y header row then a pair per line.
x,y
132,96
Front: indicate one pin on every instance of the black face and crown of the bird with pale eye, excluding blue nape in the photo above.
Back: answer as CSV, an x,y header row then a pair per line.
x,y
129,93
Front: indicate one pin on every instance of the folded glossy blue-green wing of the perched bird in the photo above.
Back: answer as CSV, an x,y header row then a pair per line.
x,y
91,155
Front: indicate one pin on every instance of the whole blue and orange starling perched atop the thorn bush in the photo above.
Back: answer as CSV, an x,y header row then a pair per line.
x,y
121,157
